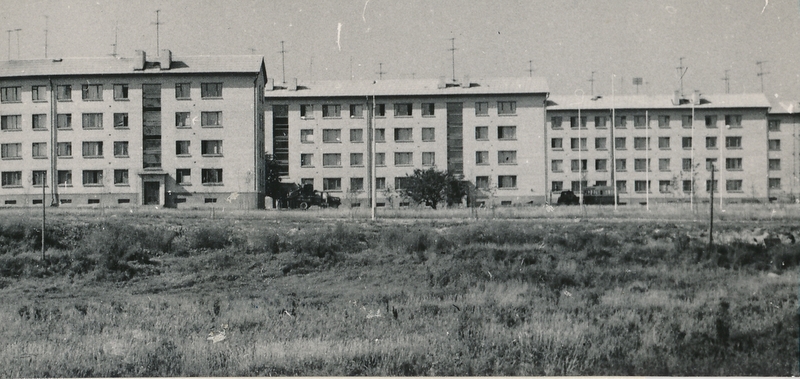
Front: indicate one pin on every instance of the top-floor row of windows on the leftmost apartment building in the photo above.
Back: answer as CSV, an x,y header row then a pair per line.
x,y
94,92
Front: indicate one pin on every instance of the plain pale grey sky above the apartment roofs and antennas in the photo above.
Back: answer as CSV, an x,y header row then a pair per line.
x,y
562,40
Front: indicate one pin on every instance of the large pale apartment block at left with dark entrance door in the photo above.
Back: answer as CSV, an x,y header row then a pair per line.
x,y
171,131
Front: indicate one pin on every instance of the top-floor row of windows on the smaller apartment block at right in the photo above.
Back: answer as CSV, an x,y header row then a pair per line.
x,y
641,121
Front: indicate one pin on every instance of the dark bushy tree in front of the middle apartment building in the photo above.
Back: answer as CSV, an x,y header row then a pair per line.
x,y
433,187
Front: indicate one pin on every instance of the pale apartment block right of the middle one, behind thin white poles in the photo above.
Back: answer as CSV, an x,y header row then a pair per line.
x,y
663,148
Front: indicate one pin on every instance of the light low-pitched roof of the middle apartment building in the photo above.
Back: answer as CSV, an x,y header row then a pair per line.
x,y
410,87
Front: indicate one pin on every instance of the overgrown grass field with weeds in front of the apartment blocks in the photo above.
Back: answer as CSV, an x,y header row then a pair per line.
x,y
146,293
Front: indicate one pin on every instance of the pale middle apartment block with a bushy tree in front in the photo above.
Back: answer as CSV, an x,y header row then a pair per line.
x,y
489,132
